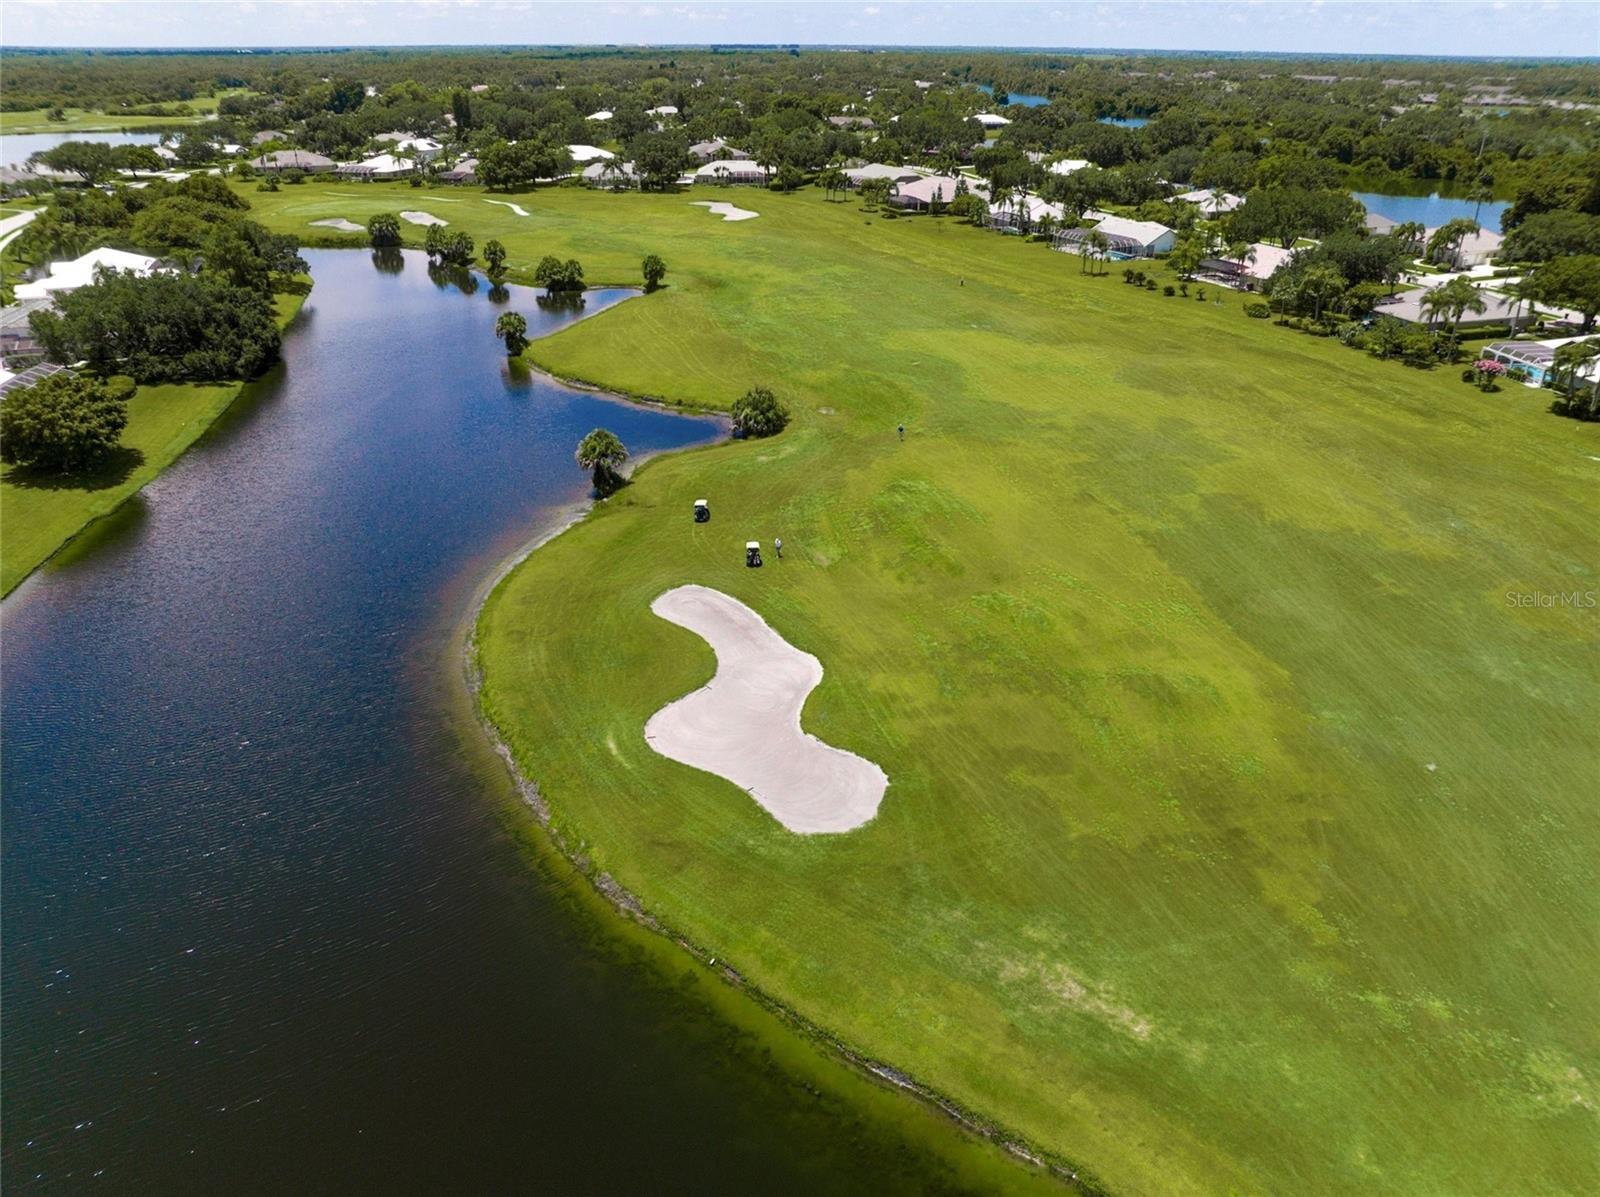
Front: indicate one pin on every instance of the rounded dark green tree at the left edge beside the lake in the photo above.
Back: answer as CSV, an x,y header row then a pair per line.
x,y
63,425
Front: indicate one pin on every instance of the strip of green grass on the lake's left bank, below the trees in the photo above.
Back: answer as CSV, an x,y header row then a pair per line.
x,y
42,514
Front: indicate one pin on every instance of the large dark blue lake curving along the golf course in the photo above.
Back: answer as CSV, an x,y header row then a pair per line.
x,y
271,916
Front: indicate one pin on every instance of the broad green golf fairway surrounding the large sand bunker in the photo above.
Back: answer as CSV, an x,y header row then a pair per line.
x,y
1241,835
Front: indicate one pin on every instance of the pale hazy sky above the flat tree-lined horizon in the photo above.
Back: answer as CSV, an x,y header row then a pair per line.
x,y
1481,28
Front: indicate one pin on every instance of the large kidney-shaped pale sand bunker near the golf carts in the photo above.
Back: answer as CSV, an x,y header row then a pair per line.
x,y
745,724
